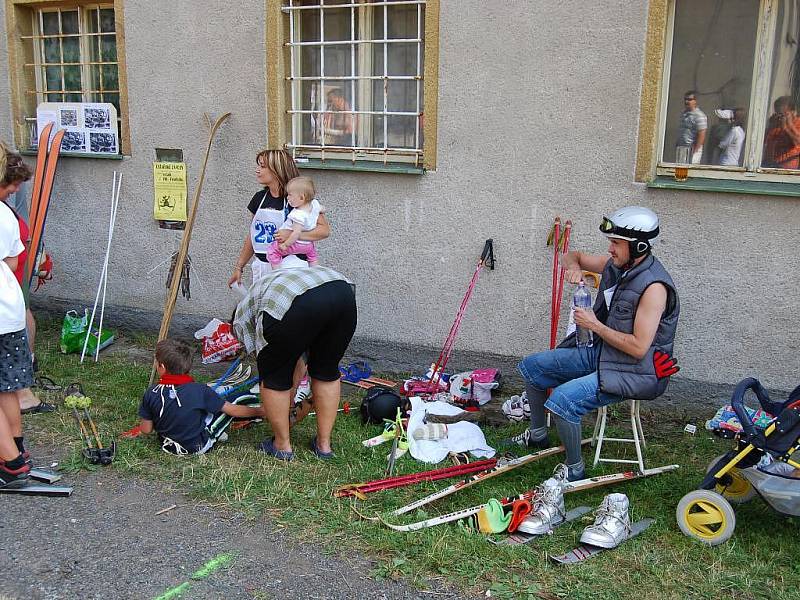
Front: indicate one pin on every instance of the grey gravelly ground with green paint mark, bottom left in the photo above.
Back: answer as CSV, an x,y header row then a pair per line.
x,y
106,541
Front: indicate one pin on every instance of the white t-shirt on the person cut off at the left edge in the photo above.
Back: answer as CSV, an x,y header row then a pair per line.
x,y
12,303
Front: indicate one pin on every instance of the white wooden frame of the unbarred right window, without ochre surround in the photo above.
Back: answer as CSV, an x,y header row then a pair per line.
x,y
758,111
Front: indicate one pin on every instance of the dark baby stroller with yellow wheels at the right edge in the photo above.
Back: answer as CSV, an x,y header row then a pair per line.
x,y
706,514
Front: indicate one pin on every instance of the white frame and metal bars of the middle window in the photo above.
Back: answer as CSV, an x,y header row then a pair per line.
x,y
362,38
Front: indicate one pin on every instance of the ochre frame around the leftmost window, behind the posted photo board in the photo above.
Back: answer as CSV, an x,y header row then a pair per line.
x,y
20,15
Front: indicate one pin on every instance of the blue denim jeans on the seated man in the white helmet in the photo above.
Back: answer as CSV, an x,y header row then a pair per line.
x,y
572,373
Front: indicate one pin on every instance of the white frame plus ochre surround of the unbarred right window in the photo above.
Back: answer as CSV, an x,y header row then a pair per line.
x,y
650,164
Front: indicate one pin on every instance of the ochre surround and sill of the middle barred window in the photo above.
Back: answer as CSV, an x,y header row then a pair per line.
x,y
279,121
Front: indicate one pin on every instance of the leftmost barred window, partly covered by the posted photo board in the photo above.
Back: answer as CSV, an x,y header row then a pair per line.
x,y
66,53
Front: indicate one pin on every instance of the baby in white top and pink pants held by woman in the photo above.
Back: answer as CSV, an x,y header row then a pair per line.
x,y
303,217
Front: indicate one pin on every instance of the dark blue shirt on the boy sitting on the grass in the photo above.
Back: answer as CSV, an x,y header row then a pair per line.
x,y
179,412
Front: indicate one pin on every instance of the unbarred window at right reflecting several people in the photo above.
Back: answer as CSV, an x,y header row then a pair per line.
x,y
730,90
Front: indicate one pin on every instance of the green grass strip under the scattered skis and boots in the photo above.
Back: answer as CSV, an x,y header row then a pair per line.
x,y
760,561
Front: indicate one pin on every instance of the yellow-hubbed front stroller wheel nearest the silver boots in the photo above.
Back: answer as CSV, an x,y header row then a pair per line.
x,y
706,516
